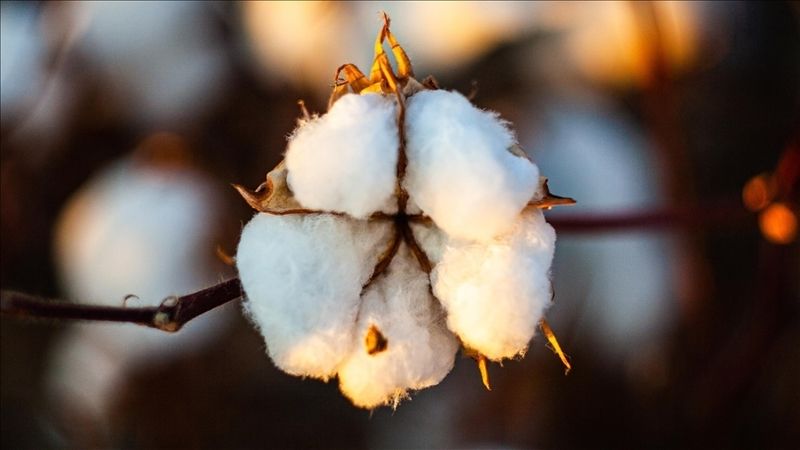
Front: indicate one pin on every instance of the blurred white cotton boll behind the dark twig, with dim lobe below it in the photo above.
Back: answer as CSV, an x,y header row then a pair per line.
x,y
144,226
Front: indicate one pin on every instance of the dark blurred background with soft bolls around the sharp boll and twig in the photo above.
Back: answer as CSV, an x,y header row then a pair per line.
x,y
677,274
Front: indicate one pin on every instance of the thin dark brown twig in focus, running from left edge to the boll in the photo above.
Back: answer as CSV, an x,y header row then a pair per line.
x,y
172,314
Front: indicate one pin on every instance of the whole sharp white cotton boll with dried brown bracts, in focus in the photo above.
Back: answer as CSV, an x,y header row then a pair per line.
x,y
403,224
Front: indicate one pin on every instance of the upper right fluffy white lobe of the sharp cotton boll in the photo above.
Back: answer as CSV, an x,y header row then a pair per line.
x,y
460,170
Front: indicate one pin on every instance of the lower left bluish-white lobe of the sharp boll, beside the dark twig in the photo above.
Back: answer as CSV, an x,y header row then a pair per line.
x,y
302,276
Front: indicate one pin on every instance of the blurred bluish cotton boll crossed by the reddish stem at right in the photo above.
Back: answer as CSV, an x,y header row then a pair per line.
x,y
621,283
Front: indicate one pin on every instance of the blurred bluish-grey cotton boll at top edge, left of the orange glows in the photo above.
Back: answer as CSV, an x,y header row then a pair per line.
x,y
162,59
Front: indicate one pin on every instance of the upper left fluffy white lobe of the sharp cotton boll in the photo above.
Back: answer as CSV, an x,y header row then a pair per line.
x,y
346,160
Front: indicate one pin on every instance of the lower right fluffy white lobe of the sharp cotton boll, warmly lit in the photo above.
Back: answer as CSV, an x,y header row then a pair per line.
x,y
495,293
